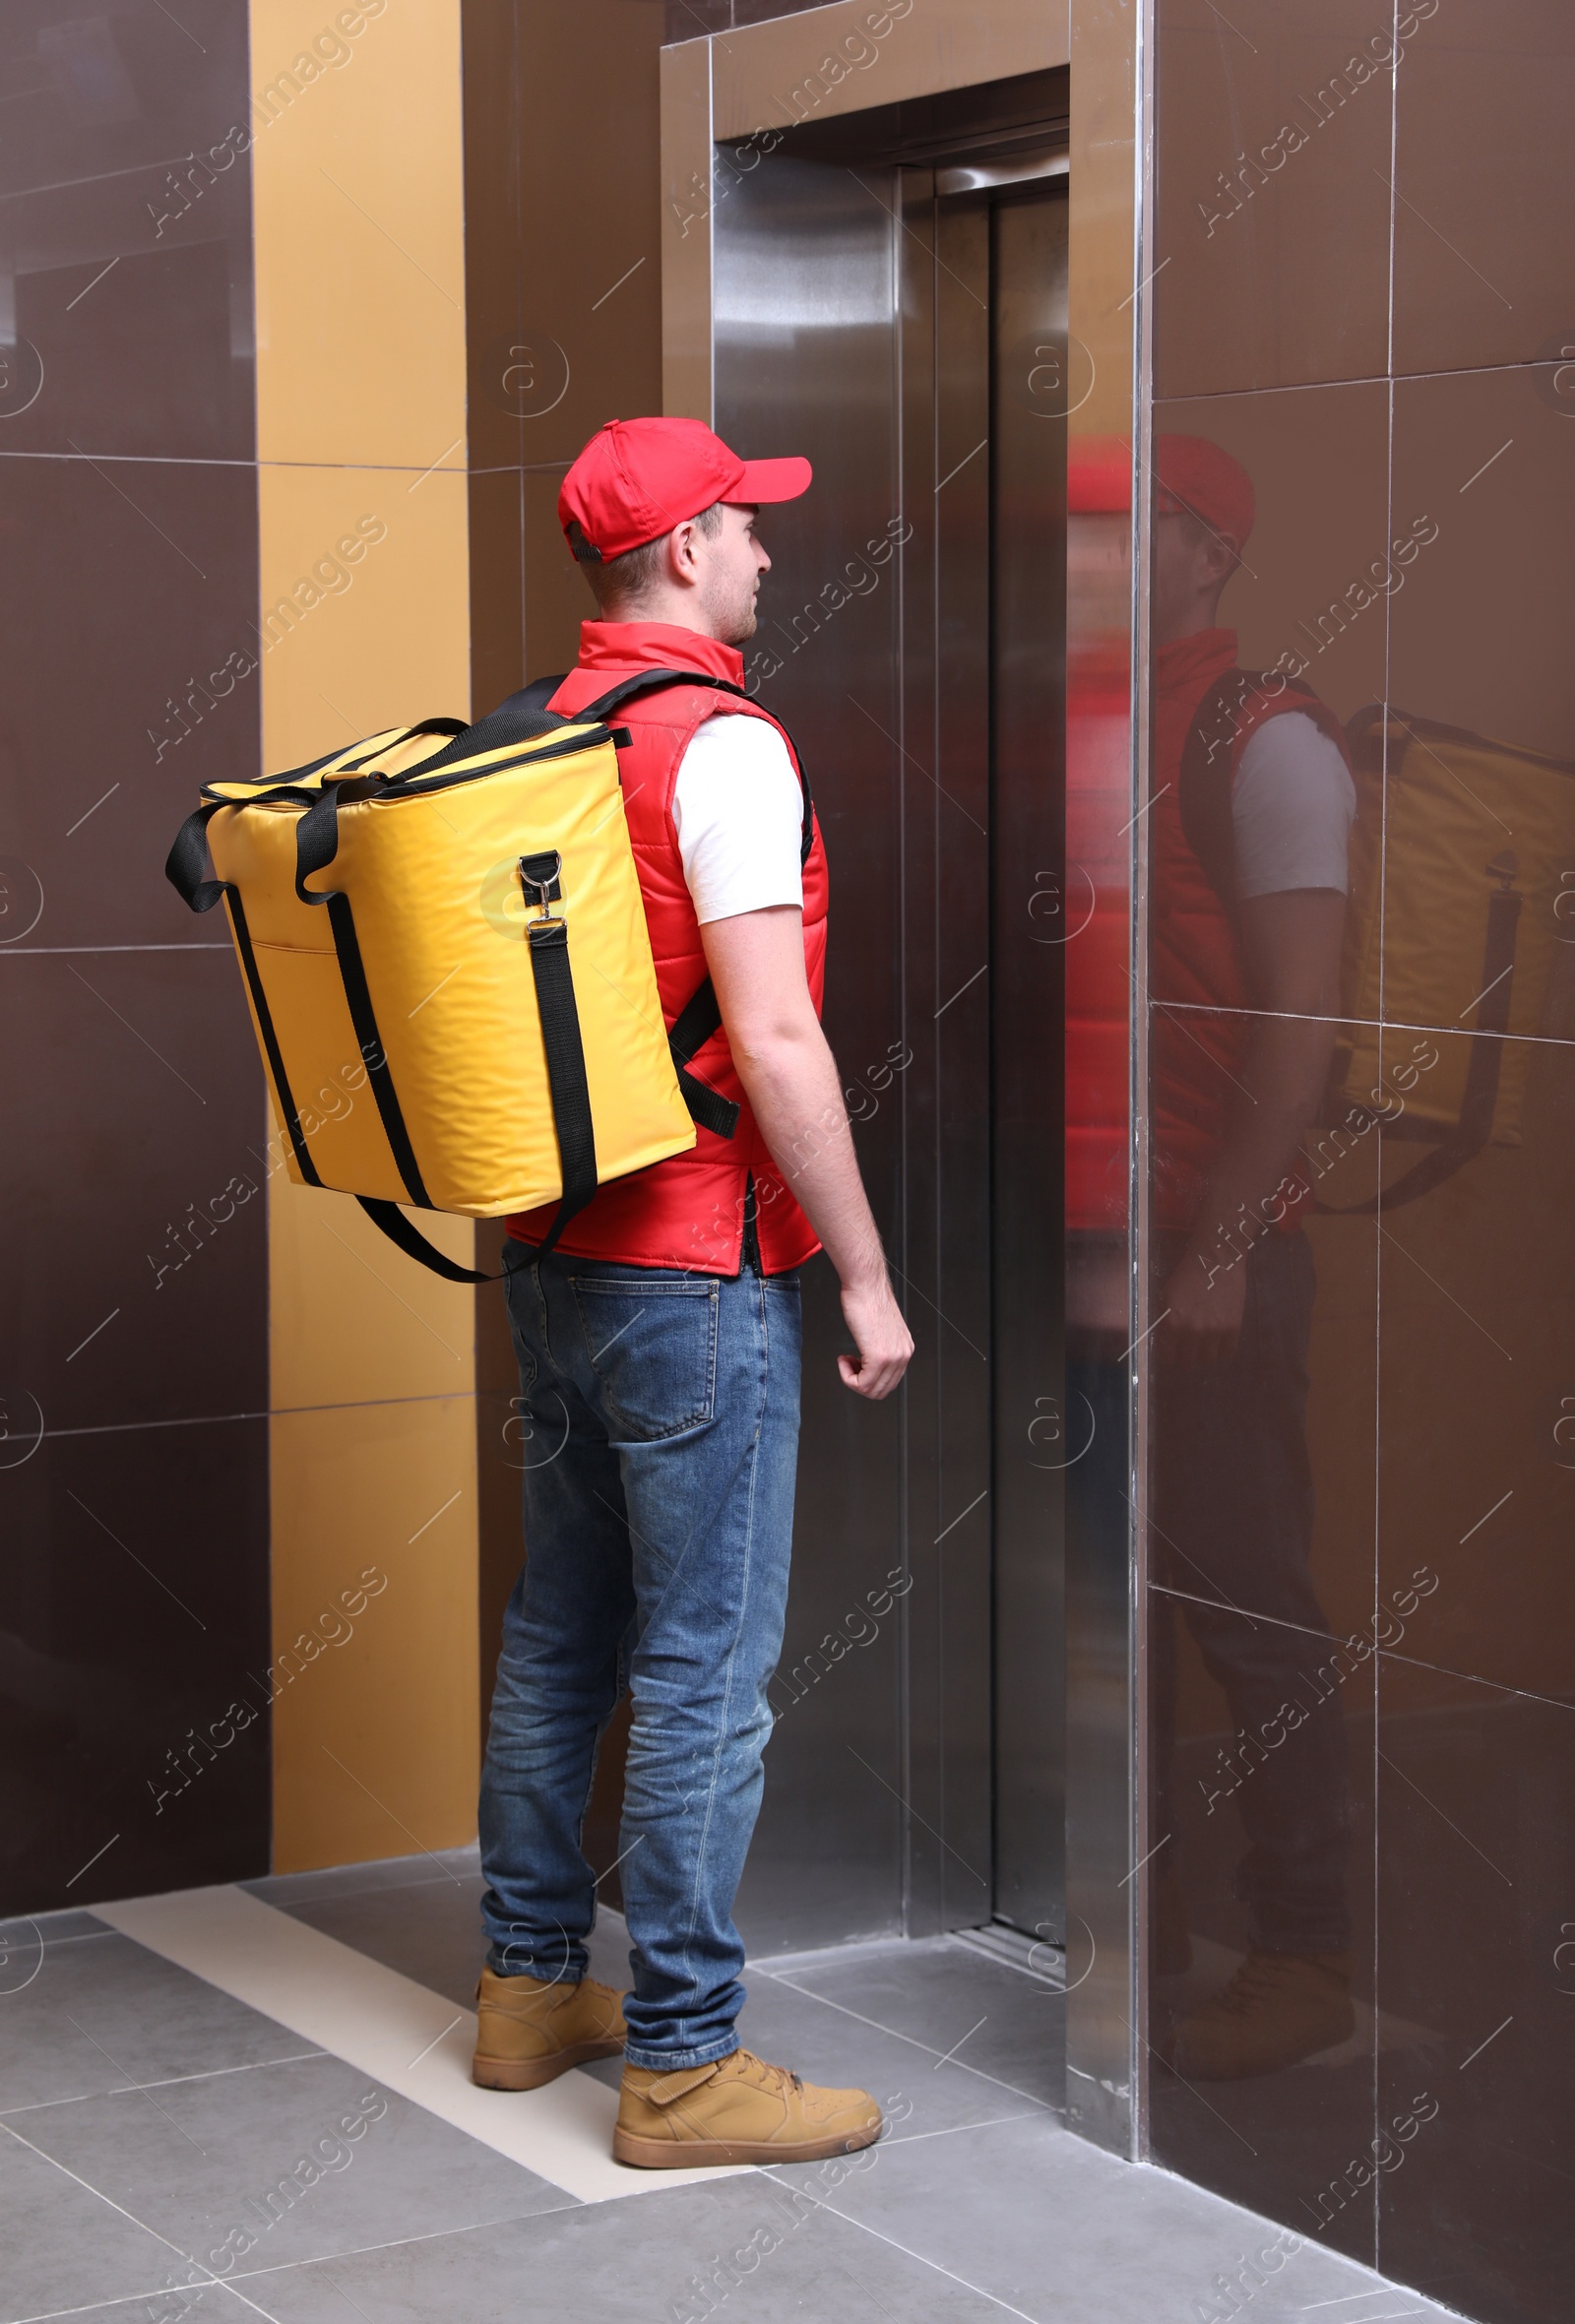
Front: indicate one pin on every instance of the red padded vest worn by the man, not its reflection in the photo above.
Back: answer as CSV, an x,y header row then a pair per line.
x,y
686,1212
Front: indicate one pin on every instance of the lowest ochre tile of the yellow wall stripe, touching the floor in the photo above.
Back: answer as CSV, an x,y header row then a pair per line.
x,y
375,1737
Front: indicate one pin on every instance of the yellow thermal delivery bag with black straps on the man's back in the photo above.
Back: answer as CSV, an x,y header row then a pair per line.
x,y
450,970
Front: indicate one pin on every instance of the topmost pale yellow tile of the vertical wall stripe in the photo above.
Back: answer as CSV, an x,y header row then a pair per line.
x,y
359,234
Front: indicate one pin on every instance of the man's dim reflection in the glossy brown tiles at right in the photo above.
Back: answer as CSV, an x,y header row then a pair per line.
x,y
1249,838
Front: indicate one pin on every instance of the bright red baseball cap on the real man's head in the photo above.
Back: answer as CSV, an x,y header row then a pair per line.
x,y
638,480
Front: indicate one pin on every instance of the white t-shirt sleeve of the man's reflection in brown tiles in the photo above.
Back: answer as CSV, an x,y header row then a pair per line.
x,y
1293,810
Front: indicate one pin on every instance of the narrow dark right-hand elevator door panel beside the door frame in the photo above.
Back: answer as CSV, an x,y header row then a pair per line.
x,y
1028,949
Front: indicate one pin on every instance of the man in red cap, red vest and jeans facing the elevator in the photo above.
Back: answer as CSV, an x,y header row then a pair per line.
x,y
661,1365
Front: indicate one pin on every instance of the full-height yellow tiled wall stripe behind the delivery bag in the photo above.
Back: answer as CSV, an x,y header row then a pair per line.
x,y
366,622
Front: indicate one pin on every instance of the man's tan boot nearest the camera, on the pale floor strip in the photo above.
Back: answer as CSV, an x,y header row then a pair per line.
x,y
738,2111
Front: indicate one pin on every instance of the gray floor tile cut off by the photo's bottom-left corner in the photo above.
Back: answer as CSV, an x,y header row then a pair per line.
x,y
64,2246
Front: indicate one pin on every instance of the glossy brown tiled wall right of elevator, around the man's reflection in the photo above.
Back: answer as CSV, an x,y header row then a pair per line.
x,y
1362,296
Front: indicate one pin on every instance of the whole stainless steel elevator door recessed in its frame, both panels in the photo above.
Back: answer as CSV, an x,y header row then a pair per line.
x,y
872,327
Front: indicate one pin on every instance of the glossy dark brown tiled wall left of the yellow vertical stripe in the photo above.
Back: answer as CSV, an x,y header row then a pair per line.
x,y
134,1451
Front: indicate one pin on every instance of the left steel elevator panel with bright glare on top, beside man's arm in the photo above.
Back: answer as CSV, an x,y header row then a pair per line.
x,y
805,364
